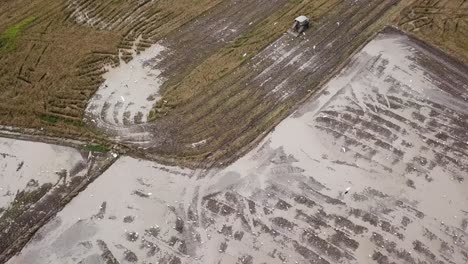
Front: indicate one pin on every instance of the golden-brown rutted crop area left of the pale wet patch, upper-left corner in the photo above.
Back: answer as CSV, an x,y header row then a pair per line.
x,y
53,64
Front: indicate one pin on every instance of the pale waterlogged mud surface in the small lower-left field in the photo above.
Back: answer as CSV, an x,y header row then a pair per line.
x,y
23,169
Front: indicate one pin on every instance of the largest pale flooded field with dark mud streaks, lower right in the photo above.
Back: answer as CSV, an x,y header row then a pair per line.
x,y
370,170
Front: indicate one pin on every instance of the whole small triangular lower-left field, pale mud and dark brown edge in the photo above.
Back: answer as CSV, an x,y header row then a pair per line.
x,y
36,181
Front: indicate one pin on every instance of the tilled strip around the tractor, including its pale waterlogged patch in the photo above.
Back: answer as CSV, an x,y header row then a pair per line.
x,y
217,94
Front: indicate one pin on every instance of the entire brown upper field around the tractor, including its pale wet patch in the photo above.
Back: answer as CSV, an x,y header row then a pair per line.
x,y
176,78
